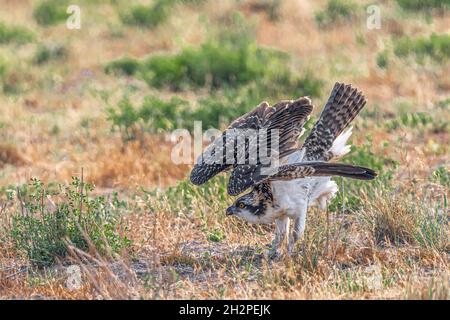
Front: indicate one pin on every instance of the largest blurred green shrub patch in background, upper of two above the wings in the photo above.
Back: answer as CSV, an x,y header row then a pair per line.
x,y
226,60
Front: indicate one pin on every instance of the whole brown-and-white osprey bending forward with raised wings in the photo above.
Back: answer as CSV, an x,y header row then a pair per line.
x,y
302,176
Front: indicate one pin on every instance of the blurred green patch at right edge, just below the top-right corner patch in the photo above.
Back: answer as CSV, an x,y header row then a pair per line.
x,y
435,47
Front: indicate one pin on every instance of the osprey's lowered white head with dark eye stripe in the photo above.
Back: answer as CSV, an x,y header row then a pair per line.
x,y
249,207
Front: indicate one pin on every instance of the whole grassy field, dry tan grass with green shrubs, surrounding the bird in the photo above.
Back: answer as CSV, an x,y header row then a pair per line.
x,y
86,175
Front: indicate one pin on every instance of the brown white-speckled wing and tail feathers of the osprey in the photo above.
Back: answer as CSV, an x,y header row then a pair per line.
x,y
288,117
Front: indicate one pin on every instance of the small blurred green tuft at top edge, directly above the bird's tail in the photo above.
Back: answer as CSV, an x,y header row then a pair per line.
x,y
336,12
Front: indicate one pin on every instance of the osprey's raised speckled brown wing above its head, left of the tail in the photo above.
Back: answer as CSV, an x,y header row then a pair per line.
x,y
287,117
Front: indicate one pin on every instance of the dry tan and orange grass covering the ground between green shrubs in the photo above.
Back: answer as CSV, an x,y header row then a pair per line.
x,y
394,246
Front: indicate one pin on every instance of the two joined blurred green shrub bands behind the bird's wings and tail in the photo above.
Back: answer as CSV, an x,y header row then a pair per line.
x,y
237,72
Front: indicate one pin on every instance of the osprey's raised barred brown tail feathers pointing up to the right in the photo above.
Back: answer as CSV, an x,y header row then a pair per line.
x,y
344,103
